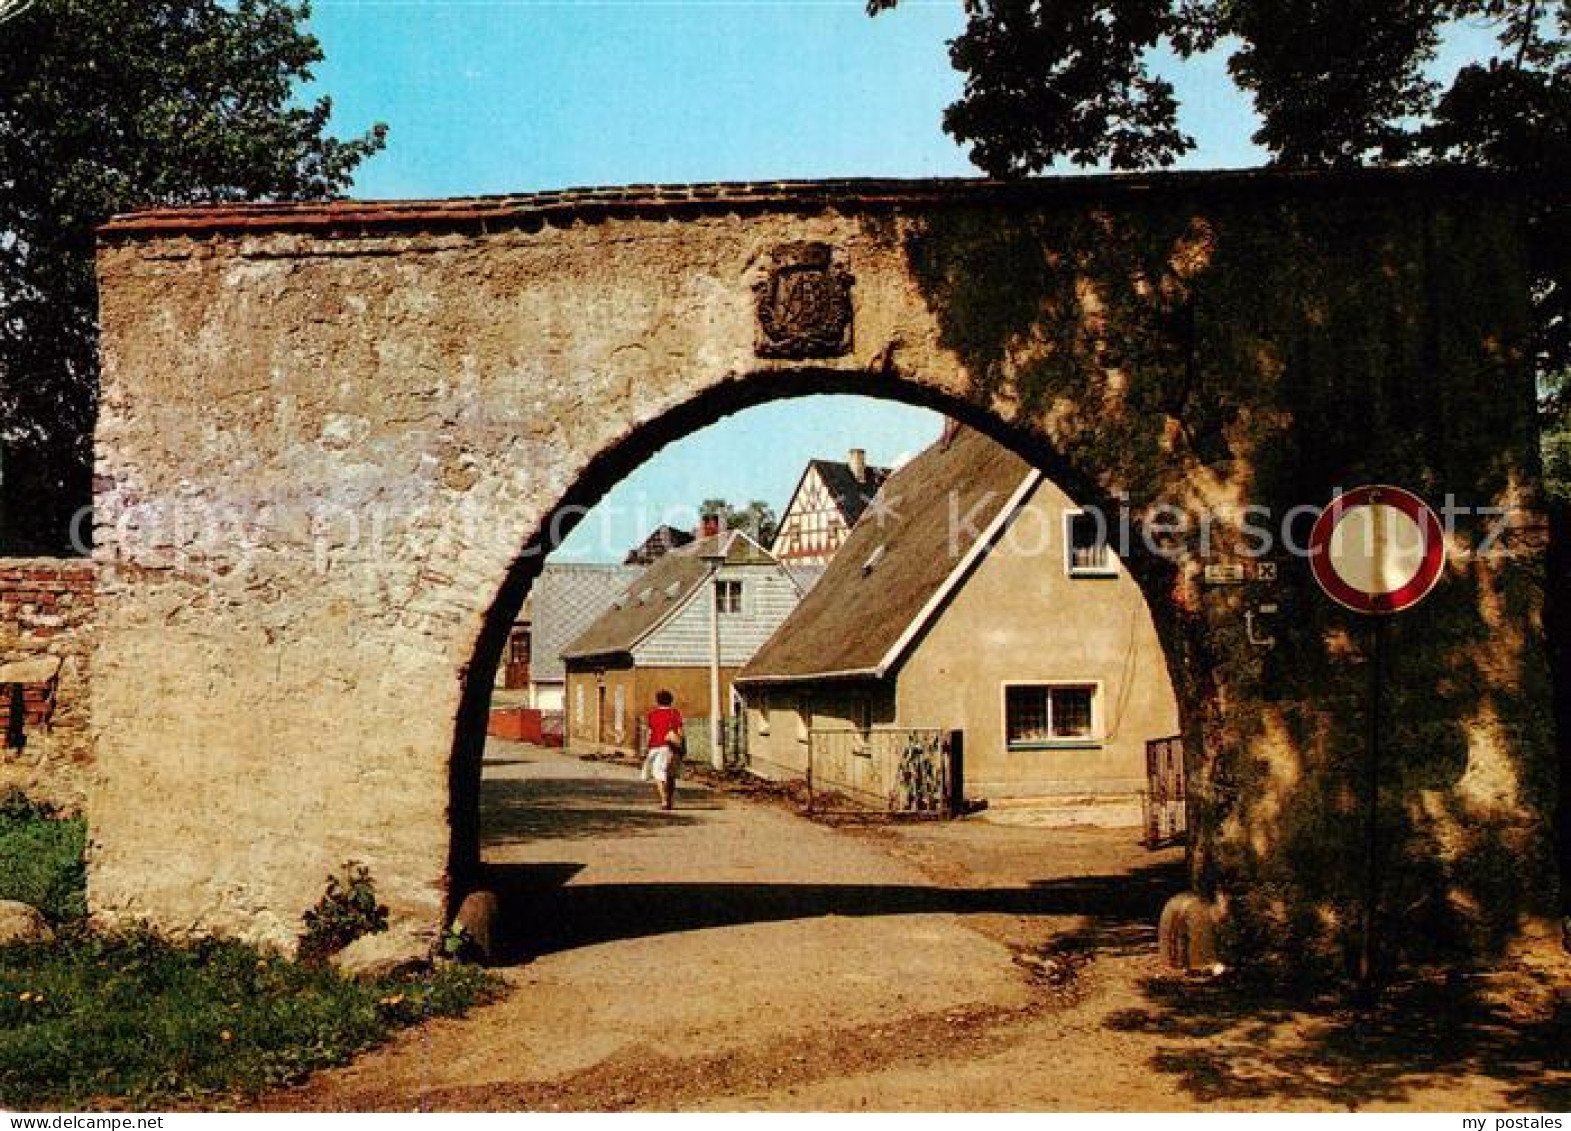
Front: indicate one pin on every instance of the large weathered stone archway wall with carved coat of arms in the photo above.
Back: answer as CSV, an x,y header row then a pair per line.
x,y
328,431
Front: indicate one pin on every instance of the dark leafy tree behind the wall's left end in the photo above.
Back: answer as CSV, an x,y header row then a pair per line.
x,y
108,106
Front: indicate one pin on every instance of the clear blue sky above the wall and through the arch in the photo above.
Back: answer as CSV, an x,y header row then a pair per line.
x,y
494,97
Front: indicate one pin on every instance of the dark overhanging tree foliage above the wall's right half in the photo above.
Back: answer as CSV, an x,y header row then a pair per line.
x,y
1335,82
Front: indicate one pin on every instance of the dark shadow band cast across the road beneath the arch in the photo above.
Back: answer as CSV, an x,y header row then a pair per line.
x,y
543,913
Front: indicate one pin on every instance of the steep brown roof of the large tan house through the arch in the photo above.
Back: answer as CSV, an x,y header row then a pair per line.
x,y
852,620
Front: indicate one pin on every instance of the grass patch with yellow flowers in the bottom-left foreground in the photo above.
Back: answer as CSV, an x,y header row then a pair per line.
x,y
136,1022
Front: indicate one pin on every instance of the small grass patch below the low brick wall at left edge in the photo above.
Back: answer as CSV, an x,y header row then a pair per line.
x,y
42,858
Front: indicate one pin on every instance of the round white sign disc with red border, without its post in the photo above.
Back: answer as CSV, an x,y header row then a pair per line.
x,y
1377,549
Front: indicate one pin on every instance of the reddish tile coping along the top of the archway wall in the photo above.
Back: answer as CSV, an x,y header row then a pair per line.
x,y
351,218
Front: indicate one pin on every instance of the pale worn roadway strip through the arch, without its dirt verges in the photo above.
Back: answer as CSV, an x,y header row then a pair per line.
x,y
705,932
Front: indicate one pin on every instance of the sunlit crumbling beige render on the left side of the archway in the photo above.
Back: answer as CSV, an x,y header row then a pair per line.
x,y
317,463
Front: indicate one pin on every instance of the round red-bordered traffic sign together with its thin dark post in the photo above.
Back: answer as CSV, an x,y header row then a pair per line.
x,y
1377,551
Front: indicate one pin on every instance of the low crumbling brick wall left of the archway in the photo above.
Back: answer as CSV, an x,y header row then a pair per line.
x,y
46,623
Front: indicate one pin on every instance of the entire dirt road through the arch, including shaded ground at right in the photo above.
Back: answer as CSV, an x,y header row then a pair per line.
x,y
733,956
